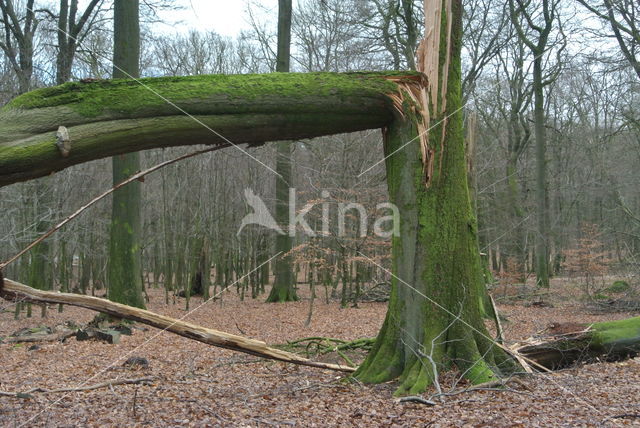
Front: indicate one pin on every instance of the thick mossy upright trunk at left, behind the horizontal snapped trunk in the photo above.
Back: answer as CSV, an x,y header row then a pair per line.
x,y
125,272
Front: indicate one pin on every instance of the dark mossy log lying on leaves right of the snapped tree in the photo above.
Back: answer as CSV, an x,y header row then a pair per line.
x,y
568,344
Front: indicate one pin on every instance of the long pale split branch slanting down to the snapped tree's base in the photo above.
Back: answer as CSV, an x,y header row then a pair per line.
x,y
13,291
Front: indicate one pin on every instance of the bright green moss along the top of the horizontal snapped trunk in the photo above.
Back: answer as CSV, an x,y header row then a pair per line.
x,y
128,96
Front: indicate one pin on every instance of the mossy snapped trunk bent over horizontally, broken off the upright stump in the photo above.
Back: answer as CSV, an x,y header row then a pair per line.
x,y
110,117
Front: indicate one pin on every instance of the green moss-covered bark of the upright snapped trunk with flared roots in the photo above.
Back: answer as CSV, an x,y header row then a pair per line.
x,y
435,316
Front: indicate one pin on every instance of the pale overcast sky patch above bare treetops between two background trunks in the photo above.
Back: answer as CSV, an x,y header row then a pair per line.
x,y
226,17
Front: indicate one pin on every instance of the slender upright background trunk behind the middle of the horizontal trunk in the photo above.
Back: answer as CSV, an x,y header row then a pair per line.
x,y
283,286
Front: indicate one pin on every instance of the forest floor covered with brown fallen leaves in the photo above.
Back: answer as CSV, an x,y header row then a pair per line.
x,y
198,385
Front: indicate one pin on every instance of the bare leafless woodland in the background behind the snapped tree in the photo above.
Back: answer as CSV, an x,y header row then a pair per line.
x,y
192,210
